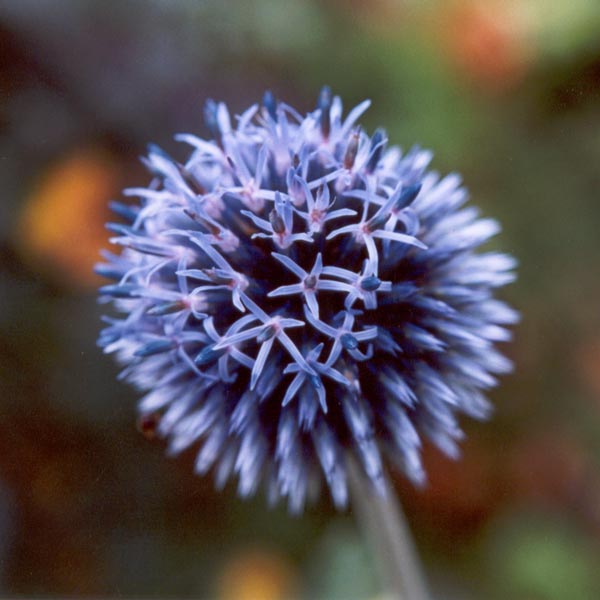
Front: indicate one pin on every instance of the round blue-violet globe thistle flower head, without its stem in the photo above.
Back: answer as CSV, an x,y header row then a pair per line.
x,y
296,291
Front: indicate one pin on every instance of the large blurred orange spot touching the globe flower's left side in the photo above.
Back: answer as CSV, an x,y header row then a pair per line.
x,y
62,224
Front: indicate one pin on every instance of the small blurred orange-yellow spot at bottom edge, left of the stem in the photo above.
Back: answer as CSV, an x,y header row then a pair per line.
x,y
256,575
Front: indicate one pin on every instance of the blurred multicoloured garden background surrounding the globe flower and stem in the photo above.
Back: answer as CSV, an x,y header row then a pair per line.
x,y
505,91
